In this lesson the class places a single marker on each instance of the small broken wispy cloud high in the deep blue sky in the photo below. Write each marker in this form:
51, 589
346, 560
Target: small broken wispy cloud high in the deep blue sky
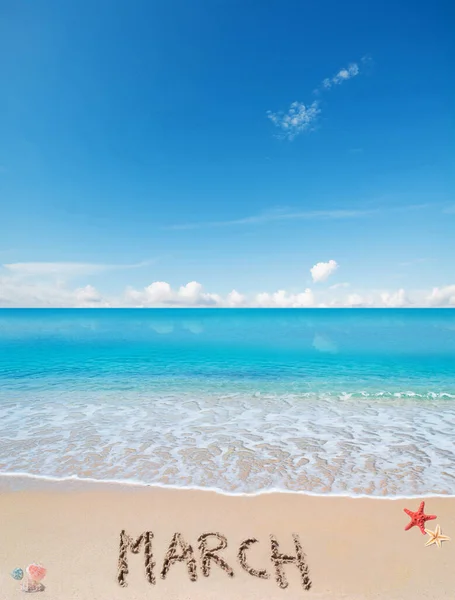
301, 117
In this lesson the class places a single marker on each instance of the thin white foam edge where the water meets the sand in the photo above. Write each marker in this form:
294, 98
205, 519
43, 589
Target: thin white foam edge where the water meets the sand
73, 481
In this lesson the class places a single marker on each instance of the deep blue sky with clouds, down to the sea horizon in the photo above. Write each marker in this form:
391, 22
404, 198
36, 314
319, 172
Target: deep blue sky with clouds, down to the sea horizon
143, 142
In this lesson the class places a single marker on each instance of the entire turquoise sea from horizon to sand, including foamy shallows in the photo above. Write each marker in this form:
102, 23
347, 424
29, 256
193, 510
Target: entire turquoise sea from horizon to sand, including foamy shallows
346, 402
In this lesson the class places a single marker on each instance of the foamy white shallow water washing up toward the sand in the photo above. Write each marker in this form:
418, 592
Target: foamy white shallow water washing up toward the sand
386, 444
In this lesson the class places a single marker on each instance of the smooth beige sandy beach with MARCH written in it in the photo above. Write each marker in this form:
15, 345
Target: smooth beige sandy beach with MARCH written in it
353, 548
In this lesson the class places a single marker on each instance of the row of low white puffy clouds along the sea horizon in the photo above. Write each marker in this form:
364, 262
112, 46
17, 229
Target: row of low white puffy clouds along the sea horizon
32, 292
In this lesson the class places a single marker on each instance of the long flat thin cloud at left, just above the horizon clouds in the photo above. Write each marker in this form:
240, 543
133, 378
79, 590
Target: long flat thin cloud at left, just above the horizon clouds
66, 269
